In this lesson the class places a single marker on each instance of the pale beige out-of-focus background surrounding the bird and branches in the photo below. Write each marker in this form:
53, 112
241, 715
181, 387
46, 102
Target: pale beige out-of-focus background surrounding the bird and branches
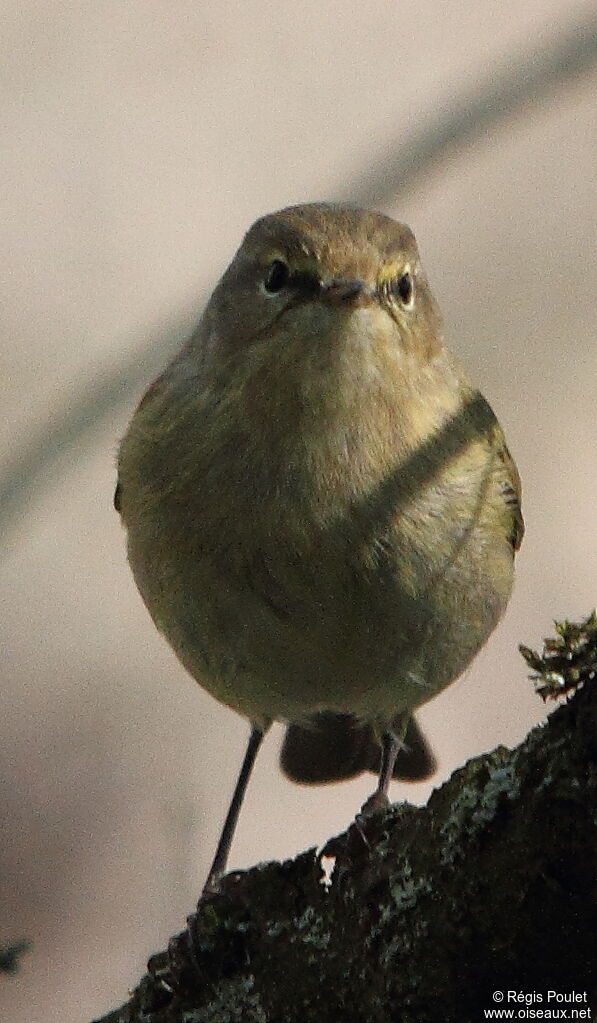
140, 142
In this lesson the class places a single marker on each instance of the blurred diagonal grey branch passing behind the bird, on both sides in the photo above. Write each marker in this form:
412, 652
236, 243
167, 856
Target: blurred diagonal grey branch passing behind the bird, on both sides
507, 93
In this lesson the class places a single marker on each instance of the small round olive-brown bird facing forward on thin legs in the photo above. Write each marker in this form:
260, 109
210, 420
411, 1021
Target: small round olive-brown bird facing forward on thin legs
322, 510
